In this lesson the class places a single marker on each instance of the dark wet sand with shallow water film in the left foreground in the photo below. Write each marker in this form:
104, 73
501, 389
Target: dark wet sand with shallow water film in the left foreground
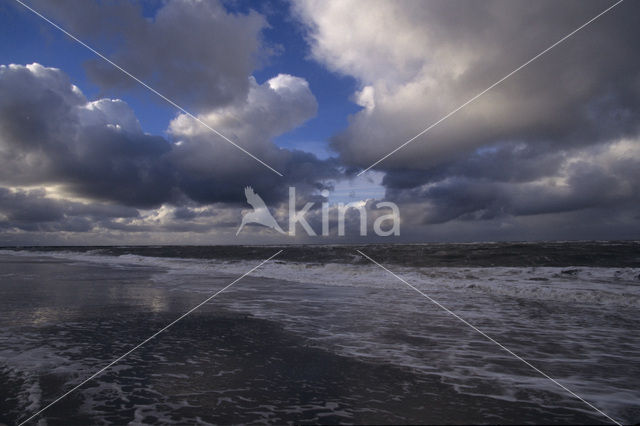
229, 362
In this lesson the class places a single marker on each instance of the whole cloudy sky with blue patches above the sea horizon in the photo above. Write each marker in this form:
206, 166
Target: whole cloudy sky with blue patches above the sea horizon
318, 91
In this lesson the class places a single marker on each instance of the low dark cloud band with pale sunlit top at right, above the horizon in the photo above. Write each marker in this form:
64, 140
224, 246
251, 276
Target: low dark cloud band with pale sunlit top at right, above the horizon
608, 177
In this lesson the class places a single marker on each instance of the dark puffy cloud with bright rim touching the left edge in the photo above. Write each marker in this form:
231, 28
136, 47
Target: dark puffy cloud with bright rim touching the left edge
49, 133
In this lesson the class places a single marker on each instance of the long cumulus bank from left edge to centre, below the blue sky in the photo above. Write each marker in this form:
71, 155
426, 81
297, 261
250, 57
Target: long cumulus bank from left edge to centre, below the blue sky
50, 134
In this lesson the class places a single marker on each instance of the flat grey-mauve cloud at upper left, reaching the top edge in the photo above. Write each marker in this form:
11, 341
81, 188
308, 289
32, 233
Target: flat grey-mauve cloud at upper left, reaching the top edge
194, 52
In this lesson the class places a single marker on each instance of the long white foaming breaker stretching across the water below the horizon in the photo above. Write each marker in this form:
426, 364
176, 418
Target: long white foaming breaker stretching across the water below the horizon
582, 285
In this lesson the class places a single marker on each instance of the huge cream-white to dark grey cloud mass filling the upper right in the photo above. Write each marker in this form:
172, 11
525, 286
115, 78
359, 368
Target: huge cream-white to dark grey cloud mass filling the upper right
560, 137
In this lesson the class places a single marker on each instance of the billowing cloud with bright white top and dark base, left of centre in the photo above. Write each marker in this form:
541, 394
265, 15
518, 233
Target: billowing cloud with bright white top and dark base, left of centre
272, 108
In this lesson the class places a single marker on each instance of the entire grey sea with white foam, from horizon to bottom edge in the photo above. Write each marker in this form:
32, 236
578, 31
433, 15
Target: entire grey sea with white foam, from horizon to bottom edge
477, 333
